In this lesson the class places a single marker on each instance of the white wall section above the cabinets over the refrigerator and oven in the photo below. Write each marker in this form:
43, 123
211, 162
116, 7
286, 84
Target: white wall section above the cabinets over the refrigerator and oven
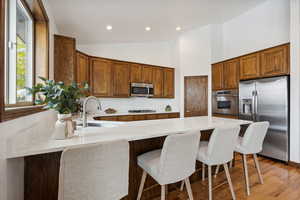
264, 26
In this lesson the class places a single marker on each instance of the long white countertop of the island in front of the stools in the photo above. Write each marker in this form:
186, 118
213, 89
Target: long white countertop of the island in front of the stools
137, 130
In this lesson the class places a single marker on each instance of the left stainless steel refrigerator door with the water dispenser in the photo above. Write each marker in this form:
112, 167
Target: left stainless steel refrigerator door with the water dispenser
246, 100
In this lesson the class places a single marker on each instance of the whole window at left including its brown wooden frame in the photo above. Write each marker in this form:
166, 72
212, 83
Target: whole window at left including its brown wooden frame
24, 51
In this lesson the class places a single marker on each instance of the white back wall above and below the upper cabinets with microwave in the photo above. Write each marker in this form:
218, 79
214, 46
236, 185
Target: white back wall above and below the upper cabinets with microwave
155, 53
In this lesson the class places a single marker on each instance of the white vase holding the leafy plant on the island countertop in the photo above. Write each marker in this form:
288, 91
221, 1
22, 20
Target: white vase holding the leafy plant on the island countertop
61, 130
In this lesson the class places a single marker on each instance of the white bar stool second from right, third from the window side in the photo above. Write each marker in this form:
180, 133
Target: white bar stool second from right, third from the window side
219, 150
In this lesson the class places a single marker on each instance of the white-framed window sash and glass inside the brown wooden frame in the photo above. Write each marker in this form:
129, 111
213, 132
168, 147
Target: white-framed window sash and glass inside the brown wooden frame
19, 66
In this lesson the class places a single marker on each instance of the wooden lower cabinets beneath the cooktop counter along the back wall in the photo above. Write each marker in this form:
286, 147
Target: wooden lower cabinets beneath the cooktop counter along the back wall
126, 118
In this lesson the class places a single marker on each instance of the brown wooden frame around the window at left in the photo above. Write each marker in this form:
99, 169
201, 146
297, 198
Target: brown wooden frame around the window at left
39, 14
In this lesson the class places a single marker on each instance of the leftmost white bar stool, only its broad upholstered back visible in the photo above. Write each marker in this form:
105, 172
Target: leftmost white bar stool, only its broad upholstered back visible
93, 172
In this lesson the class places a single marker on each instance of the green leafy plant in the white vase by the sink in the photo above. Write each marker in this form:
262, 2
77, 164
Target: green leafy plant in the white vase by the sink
58, 96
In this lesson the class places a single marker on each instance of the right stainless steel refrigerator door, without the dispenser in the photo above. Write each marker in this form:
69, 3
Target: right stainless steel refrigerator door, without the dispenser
272, 105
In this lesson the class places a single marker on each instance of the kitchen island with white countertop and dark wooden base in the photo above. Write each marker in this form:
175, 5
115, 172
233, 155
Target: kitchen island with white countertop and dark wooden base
42, 160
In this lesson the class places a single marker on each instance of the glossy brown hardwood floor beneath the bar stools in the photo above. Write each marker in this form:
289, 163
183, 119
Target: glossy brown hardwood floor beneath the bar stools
281, 182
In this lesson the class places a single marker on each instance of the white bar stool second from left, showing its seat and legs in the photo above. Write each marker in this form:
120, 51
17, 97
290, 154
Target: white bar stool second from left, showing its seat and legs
174, 162
